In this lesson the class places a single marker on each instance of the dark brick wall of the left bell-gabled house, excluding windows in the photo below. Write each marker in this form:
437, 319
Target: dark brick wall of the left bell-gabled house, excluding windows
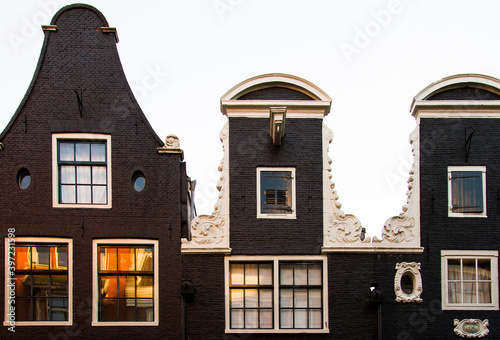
78, 56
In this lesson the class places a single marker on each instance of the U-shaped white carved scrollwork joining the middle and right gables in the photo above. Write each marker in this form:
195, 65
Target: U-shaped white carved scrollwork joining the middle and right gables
341, 232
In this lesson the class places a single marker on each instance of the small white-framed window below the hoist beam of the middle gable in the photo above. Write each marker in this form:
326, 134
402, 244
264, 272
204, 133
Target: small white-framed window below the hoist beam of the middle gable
276, 193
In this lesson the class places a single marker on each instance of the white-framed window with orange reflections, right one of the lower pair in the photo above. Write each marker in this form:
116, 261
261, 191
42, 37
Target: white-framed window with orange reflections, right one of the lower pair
125, 288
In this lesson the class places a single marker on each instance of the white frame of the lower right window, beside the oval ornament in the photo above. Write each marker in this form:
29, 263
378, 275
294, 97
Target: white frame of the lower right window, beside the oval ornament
492, 255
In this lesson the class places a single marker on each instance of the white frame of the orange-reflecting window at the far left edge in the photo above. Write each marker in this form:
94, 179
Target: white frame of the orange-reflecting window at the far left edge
39, 240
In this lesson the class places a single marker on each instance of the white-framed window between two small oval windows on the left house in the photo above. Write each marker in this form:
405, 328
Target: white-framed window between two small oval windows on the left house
81, 170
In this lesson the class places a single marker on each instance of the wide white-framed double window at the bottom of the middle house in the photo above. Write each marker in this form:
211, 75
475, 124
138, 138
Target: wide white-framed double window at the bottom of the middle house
281, 294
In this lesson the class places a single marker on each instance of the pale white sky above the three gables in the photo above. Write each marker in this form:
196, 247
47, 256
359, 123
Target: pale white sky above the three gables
371, 57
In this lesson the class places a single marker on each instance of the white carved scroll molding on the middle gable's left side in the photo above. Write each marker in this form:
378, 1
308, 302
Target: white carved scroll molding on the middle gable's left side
210, 233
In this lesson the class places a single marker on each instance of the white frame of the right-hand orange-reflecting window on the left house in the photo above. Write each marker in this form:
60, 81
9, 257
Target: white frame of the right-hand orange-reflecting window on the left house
95, 282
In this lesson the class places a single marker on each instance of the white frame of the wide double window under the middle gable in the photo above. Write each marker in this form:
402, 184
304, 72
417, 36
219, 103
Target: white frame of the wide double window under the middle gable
276, 292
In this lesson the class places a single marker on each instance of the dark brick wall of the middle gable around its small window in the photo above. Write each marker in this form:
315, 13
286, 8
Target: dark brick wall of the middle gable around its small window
250, 146
